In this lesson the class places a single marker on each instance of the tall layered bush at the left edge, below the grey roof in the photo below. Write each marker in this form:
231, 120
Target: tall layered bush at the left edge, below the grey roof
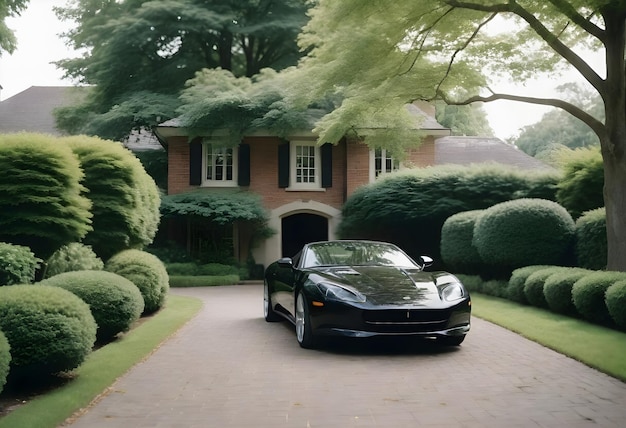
42, 202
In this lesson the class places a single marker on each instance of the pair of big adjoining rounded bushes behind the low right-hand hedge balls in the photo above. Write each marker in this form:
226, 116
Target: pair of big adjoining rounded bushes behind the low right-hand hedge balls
495, 241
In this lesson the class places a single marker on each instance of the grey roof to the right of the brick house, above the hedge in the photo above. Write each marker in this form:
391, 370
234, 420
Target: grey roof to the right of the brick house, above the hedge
472, 150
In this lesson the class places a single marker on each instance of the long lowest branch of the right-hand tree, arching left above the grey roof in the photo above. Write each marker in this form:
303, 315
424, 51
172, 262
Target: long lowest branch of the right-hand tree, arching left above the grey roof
596, 125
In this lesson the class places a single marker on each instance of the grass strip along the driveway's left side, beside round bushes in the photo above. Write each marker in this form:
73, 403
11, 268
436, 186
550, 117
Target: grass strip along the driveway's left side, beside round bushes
103, 367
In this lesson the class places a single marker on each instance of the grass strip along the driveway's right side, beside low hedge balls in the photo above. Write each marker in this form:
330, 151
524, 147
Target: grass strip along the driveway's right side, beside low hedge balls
599, 347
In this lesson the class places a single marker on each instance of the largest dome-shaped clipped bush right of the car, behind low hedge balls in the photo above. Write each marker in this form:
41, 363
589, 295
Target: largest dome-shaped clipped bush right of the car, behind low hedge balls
524, 232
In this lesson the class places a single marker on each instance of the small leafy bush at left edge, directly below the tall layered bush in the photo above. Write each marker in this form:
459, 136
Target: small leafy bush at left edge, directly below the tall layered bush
18, 264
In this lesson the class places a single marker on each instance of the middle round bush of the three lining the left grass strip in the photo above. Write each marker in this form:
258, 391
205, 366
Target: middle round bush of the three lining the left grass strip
114, 301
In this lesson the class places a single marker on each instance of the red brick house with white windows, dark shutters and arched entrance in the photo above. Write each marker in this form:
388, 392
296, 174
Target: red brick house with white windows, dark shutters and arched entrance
302, 185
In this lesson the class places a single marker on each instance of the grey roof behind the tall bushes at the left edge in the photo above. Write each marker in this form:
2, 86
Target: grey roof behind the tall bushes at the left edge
31, 109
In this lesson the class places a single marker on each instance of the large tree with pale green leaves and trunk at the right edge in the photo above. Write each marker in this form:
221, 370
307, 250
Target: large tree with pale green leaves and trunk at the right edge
384, 54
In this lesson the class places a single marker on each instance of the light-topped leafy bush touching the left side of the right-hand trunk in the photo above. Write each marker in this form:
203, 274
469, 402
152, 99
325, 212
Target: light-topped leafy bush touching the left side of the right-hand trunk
581, 187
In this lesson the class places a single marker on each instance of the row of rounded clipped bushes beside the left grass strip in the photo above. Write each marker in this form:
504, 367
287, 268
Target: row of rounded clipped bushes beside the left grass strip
51, 326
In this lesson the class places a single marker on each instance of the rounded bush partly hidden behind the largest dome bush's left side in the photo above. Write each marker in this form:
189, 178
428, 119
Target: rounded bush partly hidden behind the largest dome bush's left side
457, 251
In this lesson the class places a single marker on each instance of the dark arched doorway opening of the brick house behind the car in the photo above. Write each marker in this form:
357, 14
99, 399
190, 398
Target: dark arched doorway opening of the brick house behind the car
299, 229
